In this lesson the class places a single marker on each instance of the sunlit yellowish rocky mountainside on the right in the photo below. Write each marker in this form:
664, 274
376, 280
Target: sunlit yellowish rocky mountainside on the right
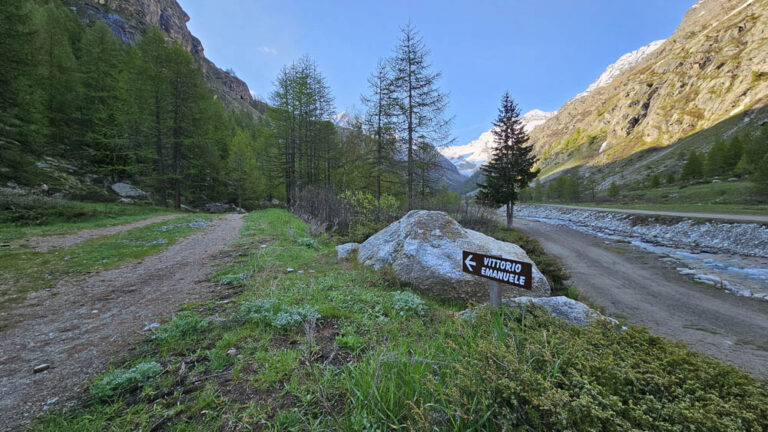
714, 66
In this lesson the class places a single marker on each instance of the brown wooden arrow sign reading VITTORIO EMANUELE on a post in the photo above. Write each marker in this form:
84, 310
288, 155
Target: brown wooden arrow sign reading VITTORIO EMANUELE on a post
498, 270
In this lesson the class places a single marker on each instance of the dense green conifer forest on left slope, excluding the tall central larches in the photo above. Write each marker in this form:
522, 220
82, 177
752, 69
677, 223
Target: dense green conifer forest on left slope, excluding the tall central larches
141, 113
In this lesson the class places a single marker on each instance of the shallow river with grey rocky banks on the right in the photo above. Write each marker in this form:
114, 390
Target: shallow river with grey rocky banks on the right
731, 256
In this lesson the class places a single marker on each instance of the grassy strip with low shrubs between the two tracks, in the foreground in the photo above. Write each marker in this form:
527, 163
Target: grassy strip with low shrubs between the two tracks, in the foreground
336, 346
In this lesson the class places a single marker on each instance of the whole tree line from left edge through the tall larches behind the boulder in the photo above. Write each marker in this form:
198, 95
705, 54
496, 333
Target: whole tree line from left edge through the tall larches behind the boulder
143, 113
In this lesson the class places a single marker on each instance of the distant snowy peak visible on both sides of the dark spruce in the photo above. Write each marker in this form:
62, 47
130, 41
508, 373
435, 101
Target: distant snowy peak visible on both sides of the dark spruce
468, 158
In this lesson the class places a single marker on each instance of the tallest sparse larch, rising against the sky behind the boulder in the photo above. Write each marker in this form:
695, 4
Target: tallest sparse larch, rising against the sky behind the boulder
420, 102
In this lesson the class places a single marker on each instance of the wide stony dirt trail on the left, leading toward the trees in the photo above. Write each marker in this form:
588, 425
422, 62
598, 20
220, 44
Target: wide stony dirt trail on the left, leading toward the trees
79, 326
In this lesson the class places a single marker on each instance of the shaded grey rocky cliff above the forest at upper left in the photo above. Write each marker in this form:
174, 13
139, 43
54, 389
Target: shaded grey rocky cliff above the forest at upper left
129, 18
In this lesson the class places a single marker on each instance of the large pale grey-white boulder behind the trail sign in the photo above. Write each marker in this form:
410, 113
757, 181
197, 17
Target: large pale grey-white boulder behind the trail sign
424, 248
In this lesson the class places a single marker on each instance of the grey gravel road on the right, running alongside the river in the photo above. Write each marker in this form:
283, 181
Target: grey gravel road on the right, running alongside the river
637, 285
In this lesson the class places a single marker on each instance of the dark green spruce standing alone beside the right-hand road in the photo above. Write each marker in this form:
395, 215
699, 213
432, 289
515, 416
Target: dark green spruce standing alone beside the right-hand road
511, 167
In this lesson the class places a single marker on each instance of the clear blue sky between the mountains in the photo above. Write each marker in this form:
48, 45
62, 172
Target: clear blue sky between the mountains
542, 51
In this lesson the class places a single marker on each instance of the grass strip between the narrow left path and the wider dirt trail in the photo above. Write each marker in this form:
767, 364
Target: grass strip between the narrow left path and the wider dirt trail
23, 271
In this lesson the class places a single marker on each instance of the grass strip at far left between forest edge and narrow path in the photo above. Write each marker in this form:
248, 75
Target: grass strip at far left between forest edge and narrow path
32, 216
